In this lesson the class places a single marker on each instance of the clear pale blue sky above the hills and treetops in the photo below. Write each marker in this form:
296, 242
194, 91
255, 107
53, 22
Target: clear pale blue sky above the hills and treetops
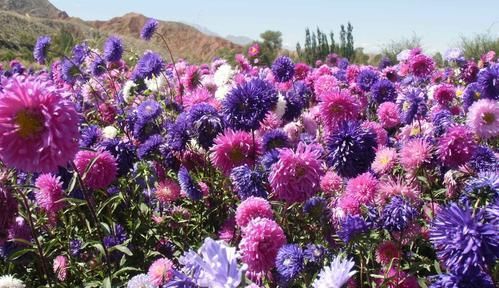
440, 23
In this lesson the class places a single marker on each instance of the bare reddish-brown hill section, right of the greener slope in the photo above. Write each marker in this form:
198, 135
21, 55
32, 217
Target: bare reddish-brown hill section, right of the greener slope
184, 40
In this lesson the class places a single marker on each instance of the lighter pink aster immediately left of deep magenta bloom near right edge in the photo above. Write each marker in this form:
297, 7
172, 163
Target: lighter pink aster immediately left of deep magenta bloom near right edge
414, 154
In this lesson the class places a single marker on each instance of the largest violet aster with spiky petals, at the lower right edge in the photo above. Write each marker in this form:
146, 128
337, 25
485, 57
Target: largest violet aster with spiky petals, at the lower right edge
464, 242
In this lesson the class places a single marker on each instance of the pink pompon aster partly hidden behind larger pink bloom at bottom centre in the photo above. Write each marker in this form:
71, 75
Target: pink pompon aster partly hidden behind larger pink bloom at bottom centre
251, 208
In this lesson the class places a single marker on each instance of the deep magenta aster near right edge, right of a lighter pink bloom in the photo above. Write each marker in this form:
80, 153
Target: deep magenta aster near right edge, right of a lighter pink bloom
456, 146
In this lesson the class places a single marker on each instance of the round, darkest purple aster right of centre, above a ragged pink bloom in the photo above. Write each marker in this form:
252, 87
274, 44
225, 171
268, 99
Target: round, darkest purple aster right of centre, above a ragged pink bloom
351, 149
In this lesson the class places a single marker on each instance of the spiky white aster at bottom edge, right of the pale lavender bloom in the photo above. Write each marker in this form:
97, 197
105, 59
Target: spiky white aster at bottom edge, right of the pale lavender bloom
336, 274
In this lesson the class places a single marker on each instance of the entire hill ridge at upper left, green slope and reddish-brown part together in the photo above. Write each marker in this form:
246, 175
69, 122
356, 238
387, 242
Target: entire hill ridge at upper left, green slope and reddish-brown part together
22, 21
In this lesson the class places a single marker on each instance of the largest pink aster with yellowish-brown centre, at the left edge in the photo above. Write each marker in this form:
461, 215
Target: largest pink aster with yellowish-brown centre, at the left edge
38, 128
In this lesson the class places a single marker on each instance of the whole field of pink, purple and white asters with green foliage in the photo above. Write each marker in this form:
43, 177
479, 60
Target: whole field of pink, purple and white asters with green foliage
147, 171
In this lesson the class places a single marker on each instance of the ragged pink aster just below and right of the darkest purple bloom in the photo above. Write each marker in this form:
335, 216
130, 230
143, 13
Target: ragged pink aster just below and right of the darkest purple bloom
363, 187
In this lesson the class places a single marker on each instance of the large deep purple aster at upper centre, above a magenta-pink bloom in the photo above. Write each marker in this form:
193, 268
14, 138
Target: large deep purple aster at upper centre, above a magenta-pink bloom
247, 104
